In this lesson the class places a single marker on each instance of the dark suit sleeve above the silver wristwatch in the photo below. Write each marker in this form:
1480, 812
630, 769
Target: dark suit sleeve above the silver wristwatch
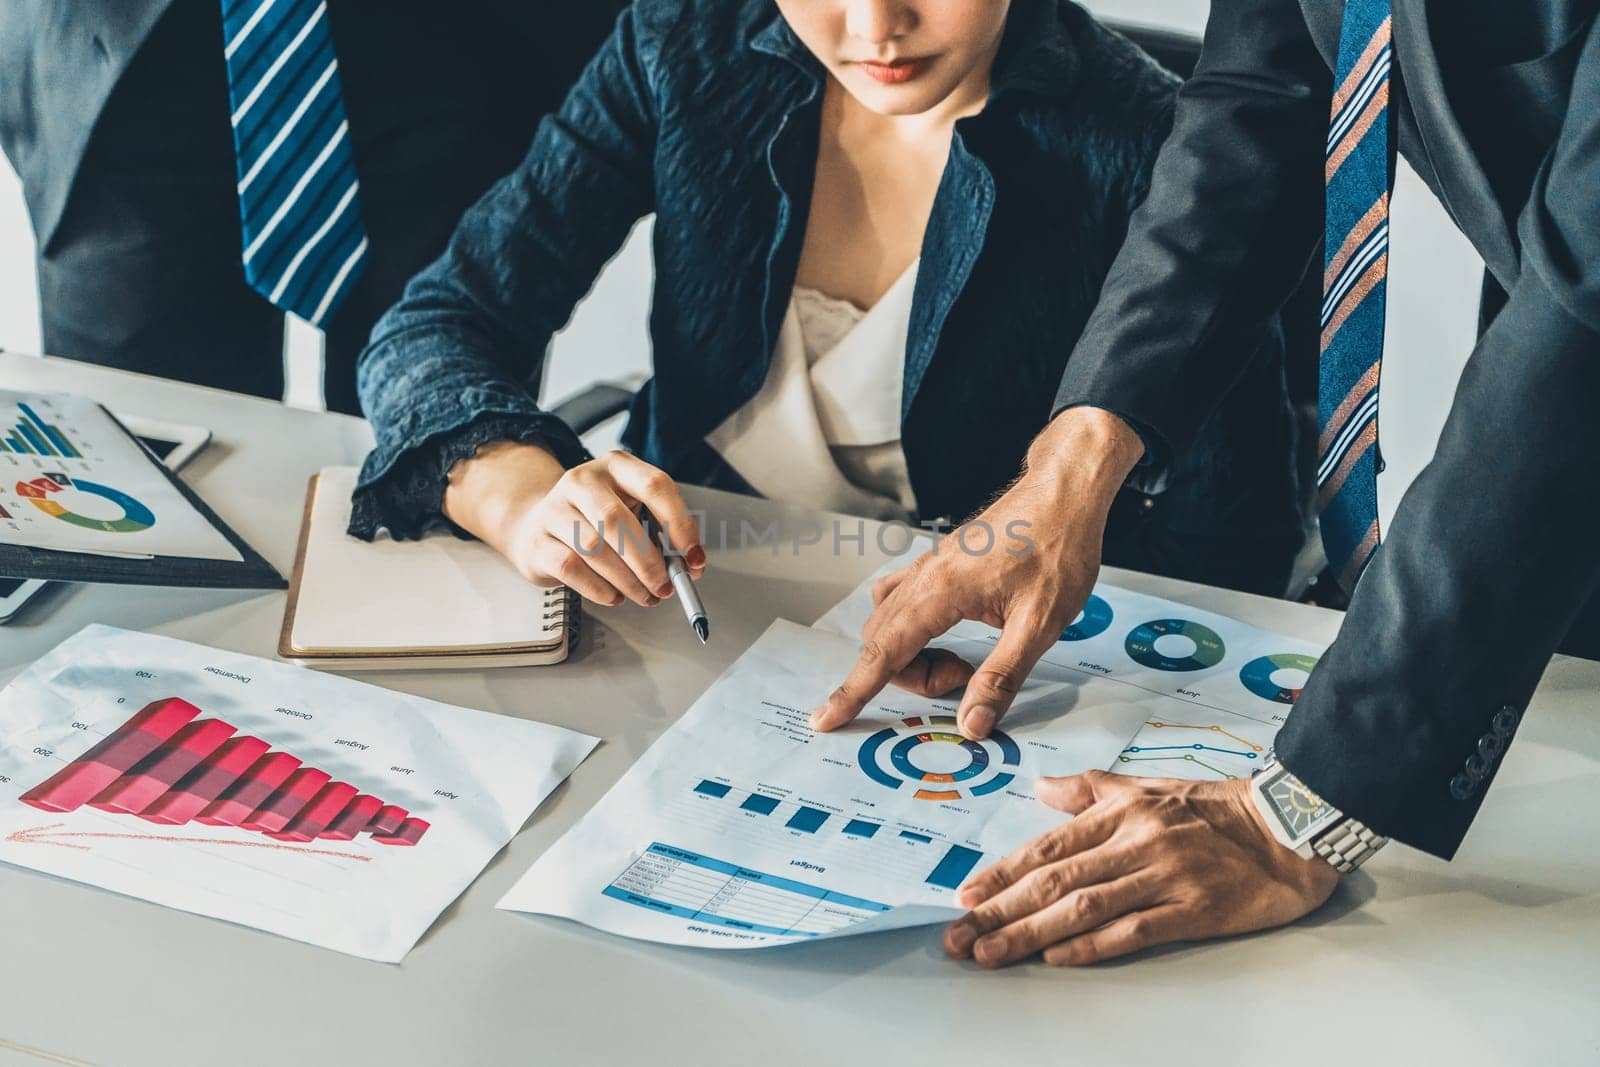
1492, 554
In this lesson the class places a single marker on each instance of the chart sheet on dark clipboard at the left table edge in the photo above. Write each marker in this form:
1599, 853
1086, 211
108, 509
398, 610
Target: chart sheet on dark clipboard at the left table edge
73, 481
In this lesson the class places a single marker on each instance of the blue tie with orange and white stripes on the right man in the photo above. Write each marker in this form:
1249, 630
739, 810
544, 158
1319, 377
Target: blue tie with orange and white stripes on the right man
1354, 281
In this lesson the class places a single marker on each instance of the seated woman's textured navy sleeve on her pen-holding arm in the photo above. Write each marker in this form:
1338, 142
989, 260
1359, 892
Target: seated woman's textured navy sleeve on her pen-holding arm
466, 343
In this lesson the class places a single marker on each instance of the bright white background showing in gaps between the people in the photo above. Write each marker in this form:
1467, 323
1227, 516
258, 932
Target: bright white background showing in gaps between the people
1433, 303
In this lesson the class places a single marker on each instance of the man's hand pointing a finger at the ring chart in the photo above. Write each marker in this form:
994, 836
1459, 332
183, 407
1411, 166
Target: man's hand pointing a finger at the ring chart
1026, 572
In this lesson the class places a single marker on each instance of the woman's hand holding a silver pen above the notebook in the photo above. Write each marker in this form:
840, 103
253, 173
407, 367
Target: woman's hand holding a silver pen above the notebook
578, 529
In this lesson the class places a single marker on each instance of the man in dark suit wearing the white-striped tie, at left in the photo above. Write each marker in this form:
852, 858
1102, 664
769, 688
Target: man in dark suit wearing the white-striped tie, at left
196, 169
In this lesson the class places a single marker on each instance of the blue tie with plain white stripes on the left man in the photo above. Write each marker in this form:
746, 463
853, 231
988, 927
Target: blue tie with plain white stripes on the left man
298, 198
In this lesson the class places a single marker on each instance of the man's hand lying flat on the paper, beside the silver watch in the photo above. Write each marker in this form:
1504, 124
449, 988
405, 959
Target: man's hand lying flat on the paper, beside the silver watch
1145, 863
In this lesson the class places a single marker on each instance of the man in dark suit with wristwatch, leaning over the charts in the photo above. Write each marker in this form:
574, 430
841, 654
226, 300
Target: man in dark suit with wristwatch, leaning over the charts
1286, 140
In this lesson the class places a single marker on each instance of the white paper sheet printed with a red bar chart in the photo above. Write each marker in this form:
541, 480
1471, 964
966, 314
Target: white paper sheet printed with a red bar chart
302, 804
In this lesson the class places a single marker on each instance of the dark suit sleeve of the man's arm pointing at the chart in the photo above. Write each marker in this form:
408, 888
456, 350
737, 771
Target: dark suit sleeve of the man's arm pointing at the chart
1222, 241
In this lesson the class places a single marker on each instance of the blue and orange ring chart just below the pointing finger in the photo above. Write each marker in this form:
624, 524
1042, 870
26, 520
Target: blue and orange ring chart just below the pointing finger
930, 756
